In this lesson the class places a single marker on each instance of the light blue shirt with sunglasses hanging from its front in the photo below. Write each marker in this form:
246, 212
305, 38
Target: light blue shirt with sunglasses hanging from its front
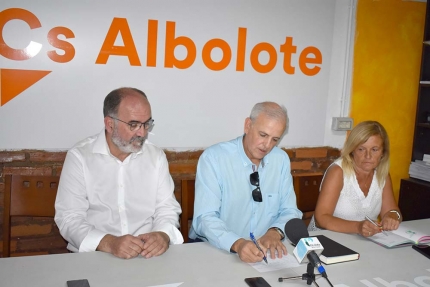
224, 210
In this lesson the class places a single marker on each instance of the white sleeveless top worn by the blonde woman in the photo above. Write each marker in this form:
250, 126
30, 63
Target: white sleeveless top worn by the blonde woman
352, 204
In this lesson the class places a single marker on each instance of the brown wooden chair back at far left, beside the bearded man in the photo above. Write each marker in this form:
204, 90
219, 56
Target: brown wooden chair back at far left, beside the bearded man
27, 196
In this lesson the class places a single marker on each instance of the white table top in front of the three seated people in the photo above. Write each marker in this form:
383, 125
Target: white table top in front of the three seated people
200, 265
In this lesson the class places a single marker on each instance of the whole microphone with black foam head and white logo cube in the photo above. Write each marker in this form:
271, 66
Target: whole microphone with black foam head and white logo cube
298, 234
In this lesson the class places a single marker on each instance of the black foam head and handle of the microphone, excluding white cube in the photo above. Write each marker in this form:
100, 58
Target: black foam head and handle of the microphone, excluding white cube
296, 229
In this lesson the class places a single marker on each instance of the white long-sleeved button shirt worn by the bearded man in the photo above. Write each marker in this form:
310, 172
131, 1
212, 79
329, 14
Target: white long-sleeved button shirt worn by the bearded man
98, 195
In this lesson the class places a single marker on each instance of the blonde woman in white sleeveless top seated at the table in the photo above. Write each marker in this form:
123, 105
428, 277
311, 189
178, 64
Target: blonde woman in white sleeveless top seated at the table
357, 185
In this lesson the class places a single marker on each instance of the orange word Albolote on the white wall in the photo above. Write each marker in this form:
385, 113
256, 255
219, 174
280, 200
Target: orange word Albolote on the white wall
310, 58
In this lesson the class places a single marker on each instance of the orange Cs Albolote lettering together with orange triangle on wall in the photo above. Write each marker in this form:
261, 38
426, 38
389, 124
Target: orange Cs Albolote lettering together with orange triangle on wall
13, 82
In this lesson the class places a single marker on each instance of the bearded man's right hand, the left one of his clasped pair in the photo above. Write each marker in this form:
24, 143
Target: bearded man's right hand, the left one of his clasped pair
126, 246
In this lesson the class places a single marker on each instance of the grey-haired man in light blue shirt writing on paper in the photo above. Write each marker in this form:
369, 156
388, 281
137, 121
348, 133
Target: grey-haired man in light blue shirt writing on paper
244, 189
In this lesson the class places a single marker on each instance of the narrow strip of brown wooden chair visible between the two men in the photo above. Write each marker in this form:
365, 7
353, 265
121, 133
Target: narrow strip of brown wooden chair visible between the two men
187, 206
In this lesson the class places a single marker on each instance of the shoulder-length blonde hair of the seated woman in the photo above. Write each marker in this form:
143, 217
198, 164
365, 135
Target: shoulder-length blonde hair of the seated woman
359, 135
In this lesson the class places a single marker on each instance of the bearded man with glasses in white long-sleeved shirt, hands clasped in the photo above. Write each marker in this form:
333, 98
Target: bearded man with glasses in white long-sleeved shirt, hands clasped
115, 192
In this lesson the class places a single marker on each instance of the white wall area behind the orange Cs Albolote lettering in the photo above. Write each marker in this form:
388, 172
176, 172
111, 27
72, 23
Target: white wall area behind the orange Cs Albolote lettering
194, 107
